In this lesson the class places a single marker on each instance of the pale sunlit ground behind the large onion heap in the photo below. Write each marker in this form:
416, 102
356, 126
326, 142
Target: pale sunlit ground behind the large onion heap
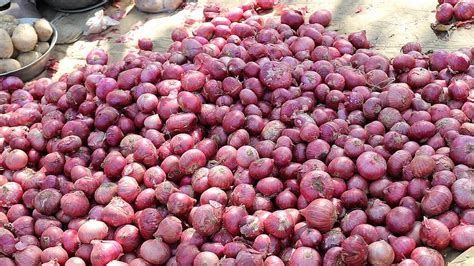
389, 25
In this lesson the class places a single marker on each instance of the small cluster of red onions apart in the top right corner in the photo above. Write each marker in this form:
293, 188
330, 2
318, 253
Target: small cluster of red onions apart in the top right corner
454, 10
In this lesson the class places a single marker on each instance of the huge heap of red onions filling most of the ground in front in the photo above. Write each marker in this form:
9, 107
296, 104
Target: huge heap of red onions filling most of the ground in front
252, 141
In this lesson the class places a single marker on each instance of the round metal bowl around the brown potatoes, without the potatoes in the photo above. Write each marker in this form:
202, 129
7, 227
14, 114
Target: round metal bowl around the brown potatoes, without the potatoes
32, 70
